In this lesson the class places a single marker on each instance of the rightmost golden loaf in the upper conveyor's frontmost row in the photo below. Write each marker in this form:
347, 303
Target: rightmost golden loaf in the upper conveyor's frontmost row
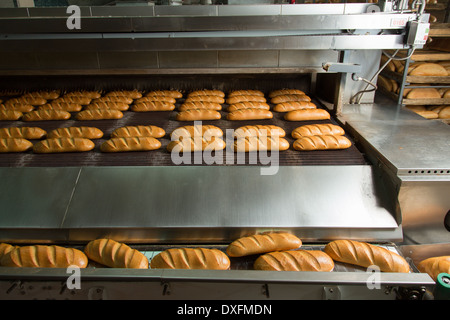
324, 142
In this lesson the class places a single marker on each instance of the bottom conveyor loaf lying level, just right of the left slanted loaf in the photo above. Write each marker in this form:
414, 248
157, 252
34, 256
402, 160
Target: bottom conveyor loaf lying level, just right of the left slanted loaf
191, 258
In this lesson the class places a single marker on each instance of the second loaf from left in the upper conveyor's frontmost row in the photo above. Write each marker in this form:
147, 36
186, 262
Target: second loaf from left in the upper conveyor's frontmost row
58, 145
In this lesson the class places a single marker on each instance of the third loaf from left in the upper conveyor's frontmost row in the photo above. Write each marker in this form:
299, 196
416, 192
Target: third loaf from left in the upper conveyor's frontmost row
128, 144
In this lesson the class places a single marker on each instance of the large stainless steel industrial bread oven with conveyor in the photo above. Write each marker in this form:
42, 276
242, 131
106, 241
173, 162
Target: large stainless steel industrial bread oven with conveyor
390, 188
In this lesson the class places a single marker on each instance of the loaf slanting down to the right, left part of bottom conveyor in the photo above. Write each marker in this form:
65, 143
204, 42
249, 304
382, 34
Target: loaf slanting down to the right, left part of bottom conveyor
115, 254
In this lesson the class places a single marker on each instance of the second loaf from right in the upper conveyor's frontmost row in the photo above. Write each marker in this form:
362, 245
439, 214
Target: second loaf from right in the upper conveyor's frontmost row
261, 143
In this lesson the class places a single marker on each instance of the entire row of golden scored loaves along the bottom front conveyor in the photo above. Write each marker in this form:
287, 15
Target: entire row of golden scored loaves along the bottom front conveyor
276, 251
